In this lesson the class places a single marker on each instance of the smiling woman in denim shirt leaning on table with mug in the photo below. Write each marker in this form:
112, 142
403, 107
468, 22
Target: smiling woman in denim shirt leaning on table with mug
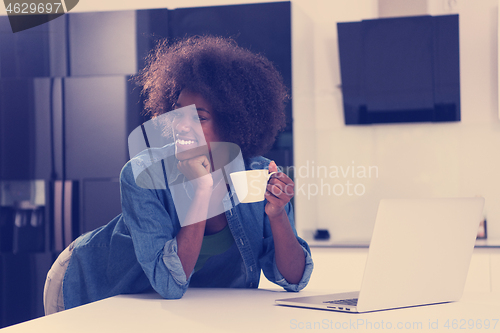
239, 98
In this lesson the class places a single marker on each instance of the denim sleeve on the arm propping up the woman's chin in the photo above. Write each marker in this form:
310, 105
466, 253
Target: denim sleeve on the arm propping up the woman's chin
150, 218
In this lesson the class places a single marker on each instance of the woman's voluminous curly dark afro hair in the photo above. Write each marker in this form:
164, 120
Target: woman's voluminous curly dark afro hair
245, 90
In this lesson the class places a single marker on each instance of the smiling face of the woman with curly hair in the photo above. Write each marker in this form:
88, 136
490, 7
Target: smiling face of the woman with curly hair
193, 129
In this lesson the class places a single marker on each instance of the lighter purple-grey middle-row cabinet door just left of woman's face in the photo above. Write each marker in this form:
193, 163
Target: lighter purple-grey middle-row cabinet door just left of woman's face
95, 126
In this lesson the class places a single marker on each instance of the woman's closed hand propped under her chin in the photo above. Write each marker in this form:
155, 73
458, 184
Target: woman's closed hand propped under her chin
197, 171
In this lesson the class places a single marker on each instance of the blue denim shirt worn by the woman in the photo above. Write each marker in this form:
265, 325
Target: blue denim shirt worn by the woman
137, 250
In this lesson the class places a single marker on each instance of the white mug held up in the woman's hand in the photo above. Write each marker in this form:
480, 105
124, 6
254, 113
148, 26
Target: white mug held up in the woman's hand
250, 185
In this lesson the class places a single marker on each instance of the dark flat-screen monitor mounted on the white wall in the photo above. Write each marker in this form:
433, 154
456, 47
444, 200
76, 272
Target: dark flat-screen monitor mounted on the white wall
402, 69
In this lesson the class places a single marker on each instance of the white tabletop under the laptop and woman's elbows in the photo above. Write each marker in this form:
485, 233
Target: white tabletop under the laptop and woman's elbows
254, 310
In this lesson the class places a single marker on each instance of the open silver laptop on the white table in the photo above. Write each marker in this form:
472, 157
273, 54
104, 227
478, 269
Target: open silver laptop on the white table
419, 254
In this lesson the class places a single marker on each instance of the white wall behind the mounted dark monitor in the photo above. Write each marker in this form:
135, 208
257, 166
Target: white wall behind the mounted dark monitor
412, 160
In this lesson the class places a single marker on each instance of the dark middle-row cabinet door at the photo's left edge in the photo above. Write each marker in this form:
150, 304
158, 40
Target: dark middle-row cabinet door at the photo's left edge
30, 128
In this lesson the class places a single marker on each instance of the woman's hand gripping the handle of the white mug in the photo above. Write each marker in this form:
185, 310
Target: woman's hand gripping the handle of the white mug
280, 189
